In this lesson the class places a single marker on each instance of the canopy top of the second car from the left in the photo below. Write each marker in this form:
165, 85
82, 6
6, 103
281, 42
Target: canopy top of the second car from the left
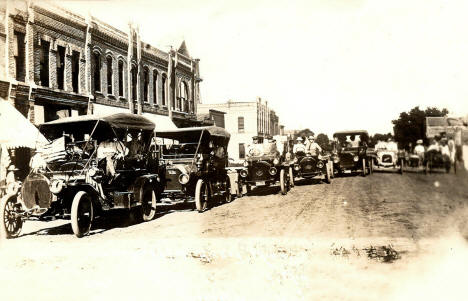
194, 134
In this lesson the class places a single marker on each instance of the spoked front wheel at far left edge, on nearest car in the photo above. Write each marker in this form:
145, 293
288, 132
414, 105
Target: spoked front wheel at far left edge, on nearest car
12, 223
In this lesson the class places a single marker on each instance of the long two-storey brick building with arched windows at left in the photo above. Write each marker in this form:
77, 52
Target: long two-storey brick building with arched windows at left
54, 63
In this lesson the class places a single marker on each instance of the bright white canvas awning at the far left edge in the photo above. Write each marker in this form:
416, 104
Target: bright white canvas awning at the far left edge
16, 130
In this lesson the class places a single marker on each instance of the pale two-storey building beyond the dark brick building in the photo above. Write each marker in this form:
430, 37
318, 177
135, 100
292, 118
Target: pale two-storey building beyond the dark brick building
245, 120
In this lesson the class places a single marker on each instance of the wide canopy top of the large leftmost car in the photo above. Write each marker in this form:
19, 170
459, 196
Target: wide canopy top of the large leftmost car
102, 126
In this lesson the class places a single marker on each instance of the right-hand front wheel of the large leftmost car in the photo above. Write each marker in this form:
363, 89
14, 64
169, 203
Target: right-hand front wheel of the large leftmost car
82, 214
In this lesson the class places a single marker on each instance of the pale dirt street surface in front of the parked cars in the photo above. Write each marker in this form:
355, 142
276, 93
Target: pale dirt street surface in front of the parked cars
383, 237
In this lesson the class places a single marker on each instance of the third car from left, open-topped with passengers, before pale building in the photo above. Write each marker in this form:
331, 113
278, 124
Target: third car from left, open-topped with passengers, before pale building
264, 166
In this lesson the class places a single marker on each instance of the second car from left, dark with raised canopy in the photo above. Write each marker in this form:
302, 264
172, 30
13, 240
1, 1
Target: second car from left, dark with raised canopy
193, 165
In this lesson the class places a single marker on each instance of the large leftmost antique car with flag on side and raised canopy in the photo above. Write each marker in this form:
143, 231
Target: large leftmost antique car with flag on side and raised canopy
90, 165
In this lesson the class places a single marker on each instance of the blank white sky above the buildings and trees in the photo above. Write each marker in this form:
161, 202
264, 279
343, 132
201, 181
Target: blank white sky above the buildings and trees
324, 65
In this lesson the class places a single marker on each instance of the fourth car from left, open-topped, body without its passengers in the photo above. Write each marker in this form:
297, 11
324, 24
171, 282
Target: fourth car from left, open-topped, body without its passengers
307, 166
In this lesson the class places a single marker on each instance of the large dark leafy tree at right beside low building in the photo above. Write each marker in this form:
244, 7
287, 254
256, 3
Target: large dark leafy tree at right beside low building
411, 126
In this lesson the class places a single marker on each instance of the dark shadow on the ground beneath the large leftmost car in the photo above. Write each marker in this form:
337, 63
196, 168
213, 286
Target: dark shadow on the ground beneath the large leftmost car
118, 218
